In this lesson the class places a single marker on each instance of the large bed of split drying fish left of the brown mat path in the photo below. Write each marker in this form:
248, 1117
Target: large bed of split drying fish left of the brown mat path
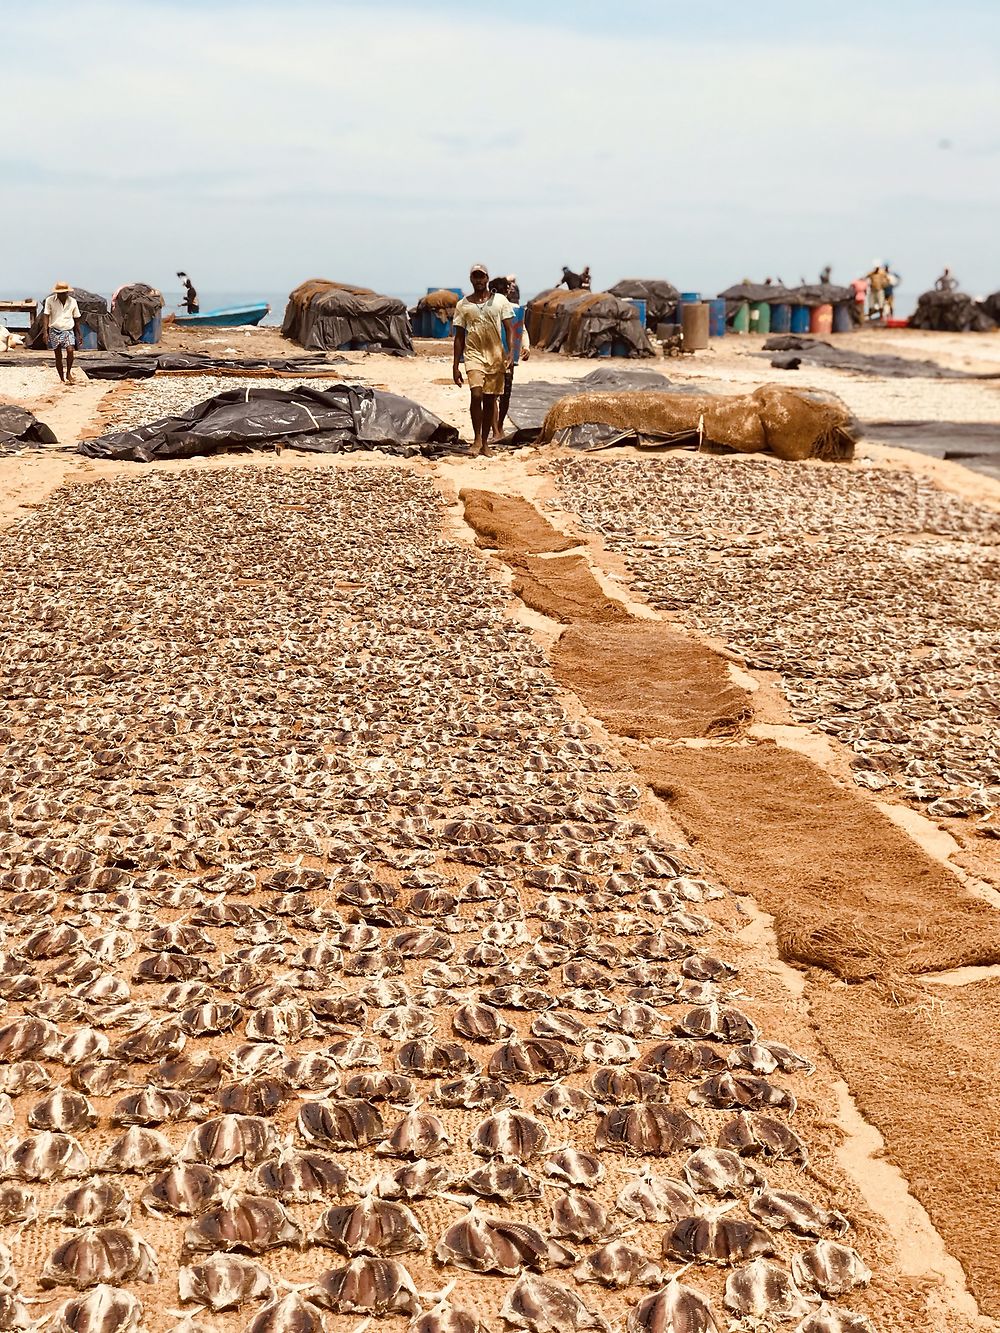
281, 779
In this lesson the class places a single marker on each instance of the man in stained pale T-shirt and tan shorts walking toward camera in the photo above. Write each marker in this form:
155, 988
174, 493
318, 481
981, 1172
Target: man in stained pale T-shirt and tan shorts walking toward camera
481, 321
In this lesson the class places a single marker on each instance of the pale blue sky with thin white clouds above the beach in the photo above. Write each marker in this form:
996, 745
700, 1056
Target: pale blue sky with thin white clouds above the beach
258, 143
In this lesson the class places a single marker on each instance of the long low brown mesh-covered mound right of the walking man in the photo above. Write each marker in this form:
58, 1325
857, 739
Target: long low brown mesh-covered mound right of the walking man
783, 422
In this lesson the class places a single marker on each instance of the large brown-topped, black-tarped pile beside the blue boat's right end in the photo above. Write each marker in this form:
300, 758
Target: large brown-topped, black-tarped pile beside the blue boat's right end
331, 317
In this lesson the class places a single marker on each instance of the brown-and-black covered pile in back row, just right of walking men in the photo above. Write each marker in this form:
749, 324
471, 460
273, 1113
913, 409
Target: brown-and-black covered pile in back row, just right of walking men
586, 325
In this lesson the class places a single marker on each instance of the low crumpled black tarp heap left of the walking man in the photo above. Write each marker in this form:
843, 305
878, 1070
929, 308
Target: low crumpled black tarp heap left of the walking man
334, 421
